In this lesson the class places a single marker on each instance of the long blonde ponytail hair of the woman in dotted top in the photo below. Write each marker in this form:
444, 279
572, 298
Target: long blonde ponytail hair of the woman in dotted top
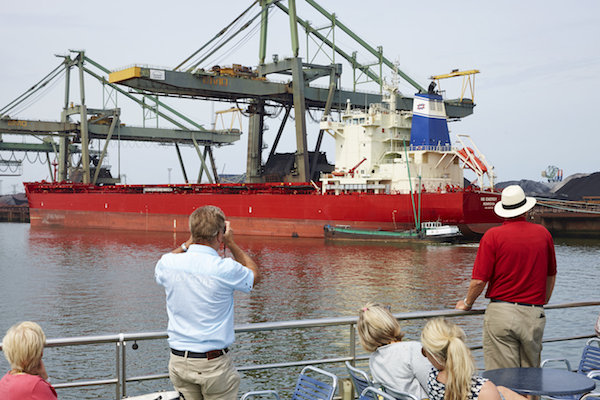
444, 341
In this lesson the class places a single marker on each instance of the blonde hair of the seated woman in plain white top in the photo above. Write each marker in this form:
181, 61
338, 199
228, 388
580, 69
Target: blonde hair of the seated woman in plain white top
377, 327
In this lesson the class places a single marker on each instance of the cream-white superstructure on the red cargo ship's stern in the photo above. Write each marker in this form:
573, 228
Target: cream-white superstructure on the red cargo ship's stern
373, 152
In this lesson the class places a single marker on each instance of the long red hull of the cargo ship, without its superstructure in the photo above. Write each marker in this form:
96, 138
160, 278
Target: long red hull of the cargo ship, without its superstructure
286, 210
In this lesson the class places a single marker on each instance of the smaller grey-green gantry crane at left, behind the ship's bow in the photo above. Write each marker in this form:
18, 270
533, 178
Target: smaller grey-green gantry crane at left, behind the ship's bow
100, 123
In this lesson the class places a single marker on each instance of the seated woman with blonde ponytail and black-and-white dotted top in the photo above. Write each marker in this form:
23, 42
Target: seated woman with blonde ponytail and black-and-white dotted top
453, 376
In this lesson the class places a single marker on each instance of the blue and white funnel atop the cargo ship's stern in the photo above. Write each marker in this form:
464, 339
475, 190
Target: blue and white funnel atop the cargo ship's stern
429, 123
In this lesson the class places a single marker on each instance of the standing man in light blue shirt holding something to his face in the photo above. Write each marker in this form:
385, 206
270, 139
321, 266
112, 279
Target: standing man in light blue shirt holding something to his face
199, 286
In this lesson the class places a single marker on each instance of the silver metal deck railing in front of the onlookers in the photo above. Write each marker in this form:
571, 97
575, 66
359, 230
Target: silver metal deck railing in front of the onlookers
121, 379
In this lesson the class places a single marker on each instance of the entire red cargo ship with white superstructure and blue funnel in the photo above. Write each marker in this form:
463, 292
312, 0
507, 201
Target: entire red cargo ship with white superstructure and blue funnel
393, 170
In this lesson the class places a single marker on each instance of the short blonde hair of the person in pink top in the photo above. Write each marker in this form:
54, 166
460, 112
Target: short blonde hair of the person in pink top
23, 346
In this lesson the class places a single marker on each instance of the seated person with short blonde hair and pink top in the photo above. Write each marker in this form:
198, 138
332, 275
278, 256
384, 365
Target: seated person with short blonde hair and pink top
23, 347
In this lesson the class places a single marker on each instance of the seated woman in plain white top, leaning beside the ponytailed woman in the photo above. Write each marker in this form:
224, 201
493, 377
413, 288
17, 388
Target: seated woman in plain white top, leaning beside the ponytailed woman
395, 364
